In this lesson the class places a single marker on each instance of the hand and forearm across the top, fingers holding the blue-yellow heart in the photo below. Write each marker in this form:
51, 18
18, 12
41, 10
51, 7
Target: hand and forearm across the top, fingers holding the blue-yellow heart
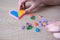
36, 3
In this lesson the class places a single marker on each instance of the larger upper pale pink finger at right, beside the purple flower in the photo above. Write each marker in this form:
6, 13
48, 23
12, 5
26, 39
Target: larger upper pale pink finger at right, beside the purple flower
54, 27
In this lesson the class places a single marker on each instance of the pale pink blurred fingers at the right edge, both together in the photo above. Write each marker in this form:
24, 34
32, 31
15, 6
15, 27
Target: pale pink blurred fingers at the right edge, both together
54, 28
